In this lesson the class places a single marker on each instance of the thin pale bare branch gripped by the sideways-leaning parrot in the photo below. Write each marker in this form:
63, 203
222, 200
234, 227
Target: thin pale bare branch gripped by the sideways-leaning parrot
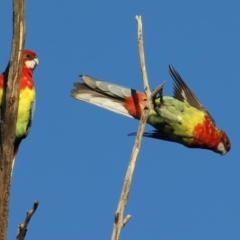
119, 222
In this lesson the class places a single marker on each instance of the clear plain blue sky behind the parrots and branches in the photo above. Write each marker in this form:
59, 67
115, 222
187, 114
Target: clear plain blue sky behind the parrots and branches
75, 158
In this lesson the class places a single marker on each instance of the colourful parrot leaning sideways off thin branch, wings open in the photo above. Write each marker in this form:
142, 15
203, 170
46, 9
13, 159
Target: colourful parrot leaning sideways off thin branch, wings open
181, 118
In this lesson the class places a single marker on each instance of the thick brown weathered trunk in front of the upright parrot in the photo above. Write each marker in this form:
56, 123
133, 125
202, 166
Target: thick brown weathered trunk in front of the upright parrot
9, 114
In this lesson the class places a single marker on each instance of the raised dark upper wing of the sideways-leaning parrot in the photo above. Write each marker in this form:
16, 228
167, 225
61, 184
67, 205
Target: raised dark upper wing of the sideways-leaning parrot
184, 94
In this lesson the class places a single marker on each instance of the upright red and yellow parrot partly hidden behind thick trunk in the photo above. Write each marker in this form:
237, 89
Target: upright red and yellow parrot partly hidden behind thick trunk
26, 98
